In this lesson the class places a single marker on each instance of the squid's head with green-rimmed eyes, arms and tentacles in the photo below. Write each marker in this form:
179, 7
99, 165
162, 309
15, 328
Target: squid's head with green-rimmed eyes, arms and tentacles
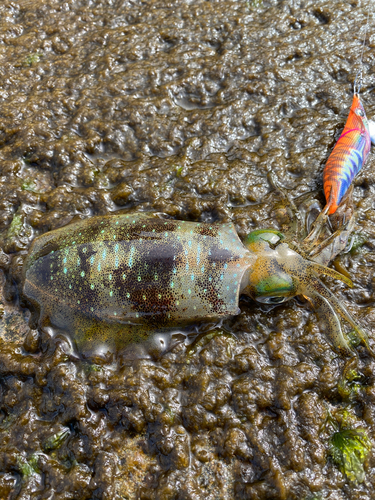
280, 273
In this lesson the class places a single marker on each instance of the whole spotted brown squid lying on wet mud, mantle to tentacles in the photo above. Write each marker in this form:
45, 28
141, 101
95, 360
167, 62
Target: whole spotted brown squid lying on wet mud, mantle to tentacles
139, 273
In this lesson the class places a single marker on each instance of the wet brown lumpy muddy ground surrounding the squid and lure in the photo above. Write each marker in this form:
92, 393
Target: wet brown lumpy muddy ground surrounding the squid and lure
181, 108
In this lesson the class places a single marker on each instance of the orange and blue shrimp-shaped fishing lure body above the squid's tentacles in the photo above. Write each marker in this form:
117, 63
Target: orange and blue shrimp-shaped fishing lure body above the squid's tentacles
348, 156
